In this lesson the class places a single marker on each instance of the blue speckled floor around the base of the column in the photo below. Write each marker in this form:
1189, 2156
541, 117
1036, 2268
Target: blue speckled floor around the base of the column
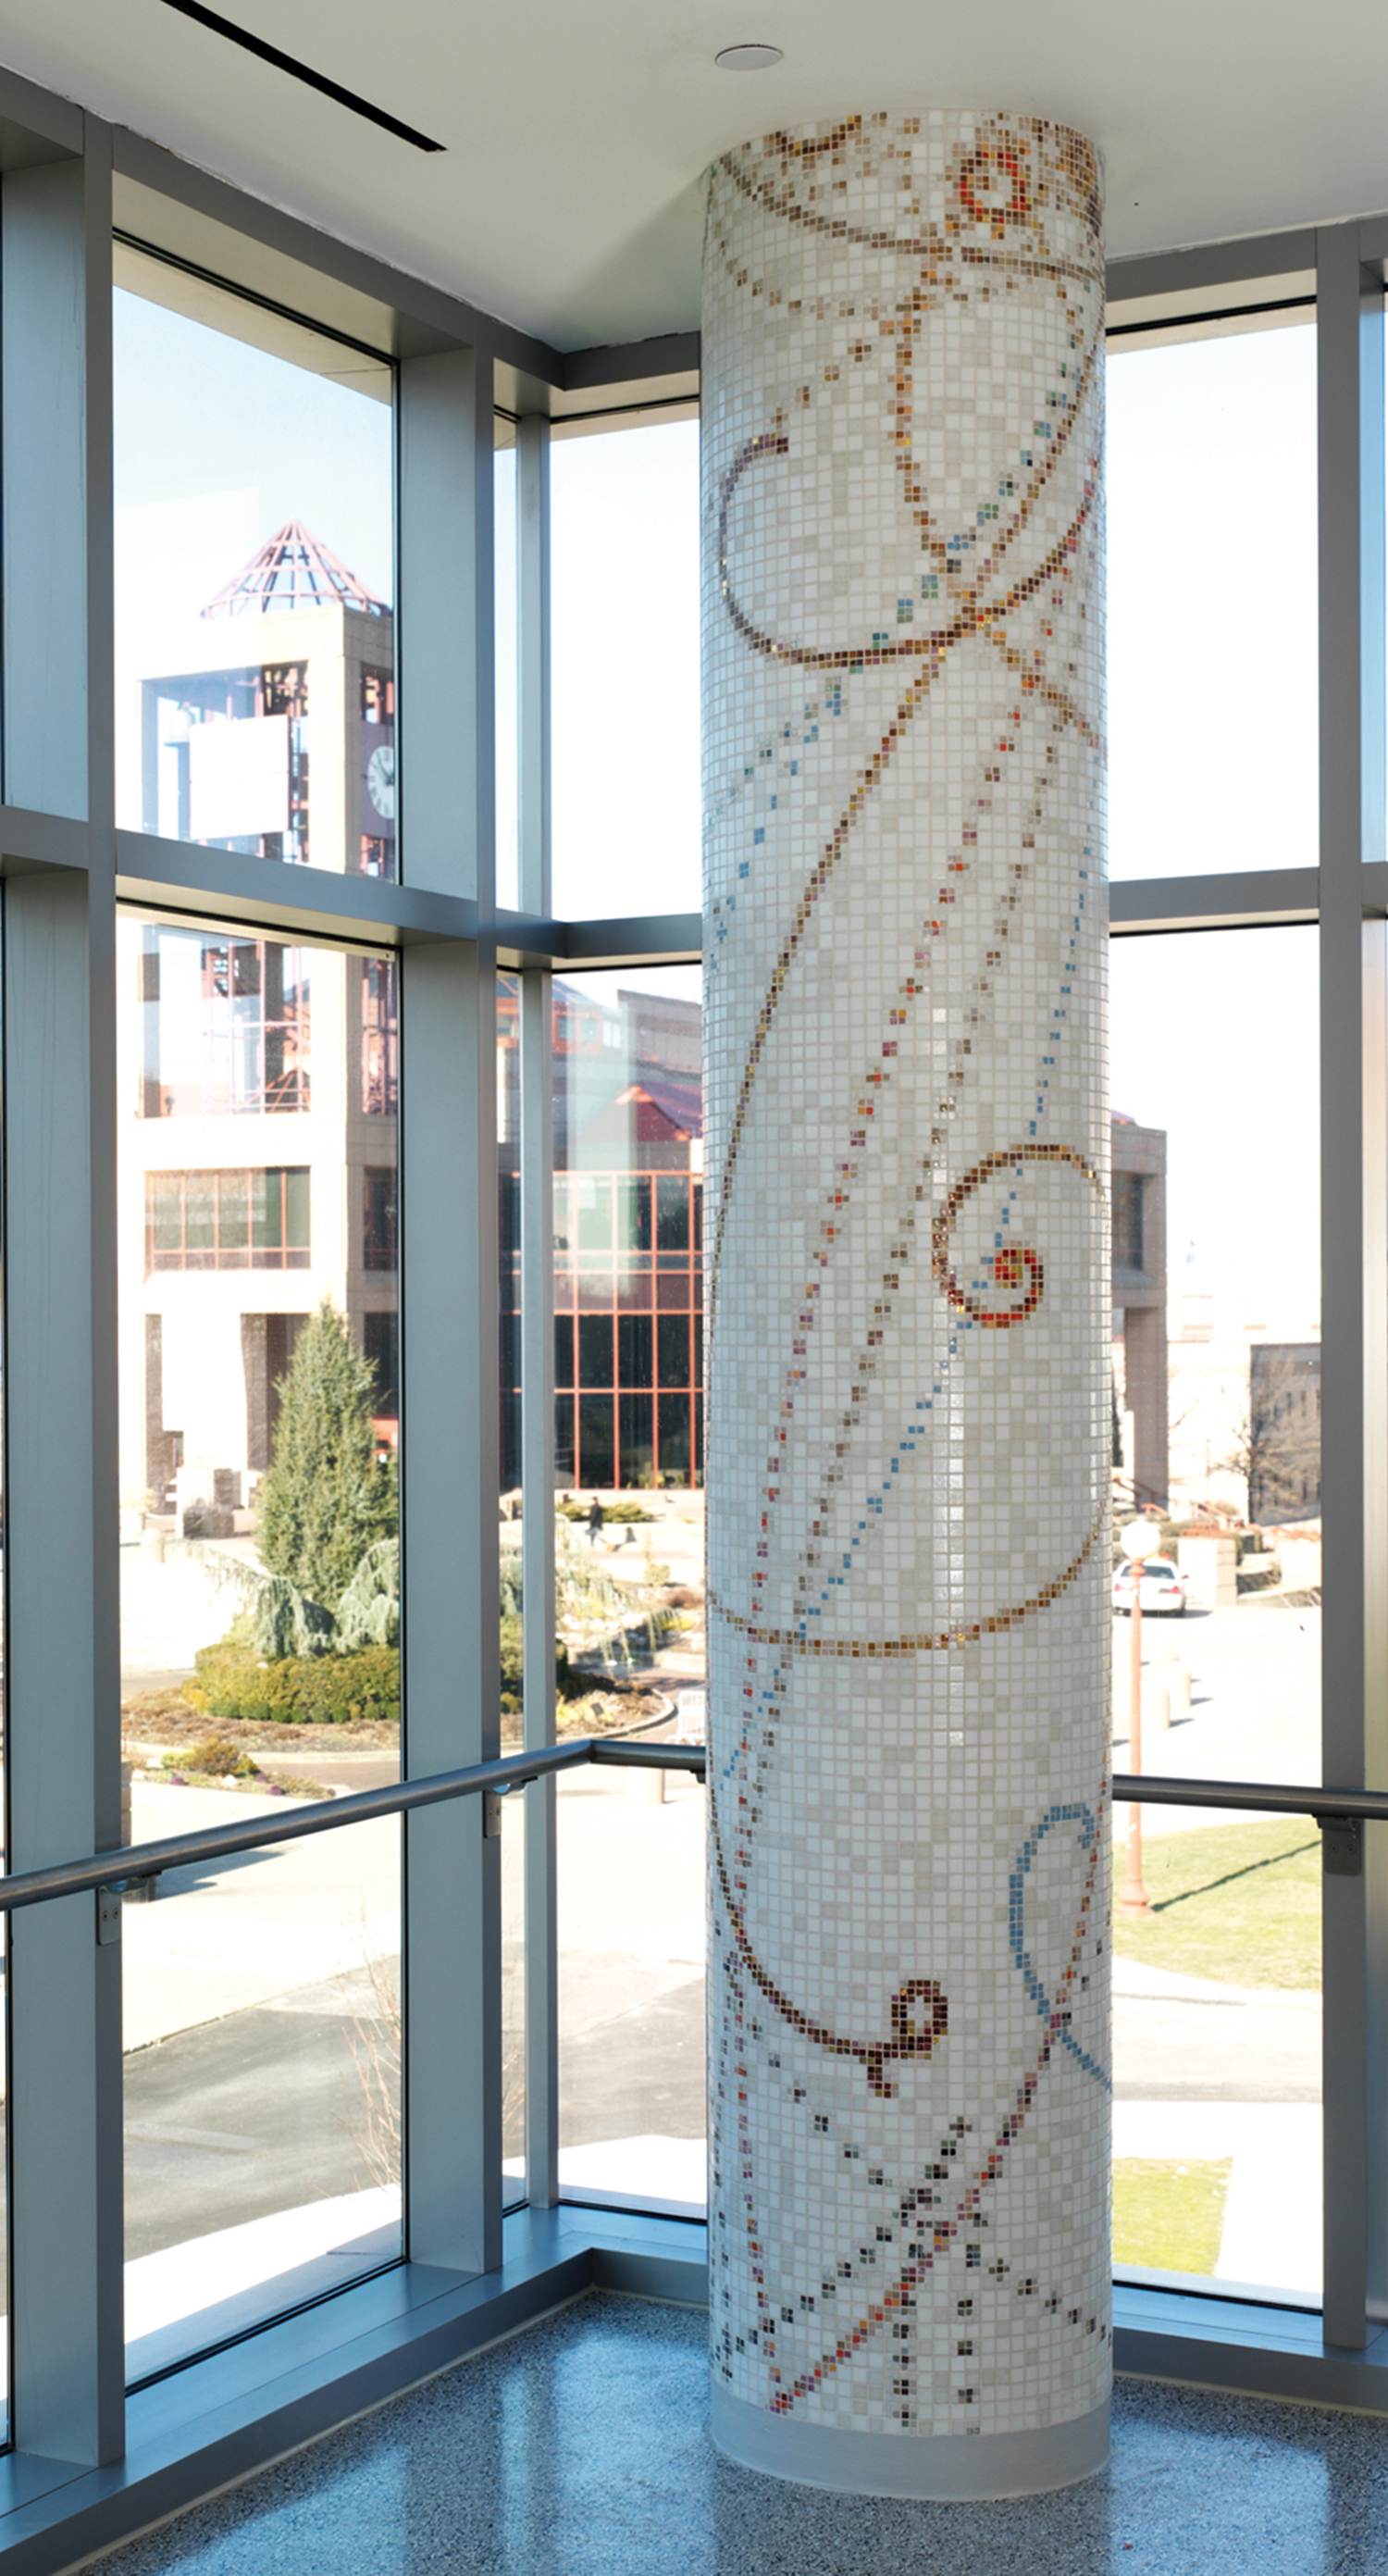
581, 2451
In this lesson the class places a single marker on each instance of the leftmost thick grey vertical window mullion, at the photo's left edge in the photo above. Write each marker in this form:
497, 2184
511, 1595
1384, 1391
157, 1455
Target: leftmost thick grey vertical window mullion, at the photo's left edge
63, 1735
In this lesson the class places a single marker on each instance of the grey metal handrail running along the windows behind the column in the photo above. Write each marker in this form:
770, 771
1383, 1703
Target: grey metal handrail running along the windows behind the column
140, 1861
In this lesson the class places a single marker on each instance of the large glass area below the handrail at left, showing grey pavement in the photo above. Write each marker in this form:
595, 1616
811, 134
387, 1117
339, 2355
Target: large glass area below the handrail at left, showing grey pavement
261, 2029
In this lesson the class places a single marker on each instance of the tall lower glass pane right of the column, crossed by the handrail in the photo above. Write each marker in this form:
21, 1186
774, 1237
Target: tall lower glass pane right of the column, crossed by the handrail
1217, 1346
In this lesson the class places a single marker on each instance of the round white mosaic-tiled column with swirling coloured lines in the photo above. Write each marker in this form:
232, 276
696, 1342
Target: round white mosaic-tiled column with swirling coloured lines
908, 1279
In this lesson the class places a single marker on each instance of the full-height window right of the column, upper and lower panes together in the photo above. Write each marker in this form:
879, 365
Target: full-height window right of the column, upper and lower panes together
1217, 1302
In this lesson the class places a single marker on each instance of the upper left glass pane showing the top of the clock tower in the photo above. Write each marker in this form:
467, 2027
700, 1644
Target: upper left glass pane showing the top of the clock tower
254, 581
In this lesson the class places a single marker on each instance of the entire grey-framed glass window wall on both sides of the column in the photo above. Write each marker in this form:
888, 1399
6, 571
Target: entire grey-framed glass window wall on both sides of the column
354, 1323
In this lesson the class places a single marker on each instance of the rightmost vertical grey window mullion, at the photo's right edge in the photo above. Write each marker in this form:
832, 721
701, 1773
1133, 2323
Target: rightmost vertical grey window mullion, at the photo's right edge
1356, 1274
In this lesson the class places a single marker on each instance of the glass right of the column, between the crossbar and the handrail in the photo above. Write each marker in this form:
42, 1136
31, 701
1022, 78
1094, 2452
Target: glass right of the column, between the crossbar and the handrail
1217, 1346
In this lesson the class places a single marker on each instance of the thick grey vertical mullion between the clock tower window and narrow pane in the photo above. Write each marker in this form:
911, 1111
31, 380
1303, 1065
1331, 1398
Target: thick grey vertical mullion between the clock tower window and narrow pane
449, 1315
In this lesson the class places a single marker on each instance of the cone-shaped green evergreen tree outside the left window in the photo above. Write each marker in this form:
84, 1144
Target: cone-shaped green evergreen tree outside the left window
323, 1501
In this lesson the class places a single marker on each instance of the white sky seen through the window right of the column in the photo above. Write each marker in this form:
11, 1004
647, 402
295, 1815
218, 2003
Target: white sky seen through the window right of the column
1212, 640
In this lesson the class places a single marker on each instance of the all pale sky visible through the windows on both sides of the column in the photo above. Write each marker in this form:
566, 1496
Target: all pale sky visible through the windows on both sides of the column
1212, 622
